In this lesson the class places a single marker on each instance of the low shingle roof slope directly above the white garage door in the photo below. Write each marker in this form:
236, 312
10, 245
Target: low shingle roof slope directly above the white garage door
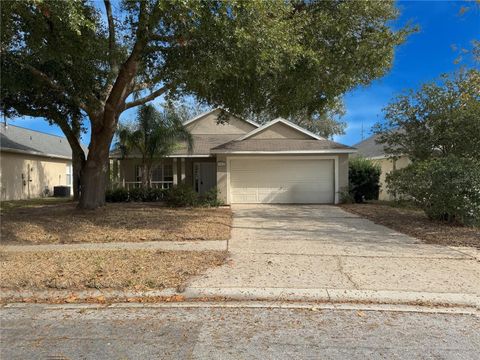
280, 145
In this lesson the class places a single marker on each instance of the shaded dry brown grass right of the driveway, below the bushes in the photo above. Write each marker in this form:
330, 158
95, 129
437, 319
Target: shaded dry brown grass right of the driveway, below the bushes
415, 223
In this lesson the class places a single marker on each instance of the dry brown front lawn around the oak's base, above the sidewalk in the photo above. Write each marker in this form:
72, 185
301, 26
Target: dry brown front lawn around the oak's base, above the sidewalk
131, 222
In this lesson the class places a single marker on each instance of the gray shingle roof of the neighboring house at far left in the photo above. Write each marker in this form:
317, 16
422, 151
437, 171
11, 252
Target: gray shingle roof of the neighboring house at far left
21, 140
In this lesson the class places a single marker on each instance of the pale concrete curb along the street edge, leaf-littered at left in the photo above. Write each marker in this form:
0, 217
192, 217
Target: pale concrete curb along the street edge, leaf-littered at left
250, 294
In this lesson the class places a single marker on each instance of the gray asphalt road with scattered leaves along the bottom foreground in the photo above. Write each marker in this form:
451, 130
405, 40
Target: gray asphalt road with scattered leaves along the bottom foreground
42, 332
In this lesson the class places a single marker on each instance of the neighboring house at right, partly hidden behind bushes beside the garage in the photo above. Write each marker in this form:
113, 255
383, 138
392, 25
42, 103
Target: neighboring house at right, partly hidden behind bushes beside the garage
370, 149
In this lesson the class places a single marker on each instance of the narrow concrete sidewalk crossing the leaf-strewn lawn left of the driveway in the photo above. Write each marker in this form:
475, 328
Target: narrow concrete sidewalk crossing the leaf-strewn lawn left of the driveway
146, 245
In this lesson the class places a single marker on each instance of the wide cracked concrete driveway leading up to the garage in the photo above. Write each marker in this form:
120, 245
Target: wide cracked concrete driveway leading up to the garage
301, 249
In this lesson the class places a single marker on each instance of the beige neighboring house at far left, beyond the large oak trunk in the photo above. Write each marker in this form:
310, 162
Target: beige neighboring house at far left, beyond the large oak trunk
32, 163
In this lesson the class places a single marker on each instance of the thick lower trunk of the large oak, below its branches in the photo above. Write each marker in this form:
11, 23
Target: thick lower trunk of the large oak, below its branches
95, 171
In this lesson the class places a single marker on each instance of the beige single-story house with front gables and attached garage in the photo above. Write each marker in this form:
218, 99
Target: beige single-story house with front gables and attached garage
278, 162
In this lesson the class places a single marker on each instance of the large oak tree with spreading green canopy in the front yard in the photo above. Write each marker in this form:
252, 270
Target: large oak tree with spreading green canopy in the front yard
71, 60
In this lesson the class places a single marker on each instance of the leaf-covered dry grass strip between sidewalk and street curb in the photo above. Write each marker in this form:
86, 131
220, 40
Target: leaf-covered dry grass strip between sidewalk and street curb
104, 269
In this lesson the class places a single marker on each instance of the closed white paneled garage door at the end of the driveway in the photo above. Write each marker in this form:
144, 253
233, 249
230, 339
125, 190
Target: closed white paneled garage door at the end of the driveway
281, 181
